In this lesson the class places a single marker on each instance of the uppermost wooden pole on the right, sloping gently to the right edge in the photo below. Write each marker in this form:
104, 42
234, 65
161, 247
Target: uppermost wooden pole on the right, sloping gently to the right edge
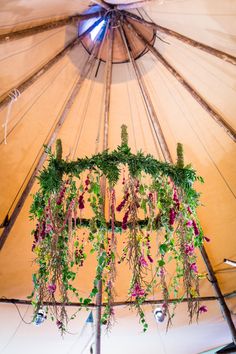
204, 47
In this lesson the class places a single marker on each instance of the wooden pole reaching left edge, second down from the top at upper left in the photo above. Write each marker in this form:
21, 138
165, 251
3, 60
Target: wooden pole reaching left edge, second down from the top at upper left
43, 69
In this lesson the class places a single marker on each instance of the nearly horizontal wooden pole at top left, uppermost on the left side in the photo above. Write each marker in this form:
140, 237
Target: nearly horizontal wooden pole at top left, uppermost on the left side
21, 33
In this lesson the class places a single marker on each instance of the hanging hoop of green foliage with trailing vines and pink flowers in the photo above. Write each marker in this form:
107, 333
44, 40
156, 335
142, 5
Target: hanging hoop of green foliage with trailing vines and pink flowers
158, 199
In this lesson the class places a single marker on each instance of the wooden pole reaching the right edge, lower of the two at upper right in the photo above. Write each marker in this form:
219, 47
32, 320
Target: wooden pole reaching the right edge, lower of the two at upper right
203, 103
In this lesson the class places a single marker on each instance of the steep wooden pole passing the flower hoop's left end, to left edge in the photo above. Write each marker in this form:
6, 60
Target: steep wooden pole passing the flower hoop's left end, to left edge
87, 67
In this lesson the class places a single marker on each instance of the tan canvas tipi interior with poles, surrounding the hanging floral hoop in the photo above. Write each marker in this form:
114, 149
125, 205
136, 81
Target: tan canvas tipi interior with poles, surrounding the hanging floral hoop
77, 71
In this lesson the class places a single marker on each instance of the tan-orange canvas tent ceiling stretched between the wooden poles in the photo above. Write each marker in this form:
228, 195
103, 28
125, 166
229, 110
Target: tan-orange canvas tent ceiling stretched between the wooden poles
207, 146
